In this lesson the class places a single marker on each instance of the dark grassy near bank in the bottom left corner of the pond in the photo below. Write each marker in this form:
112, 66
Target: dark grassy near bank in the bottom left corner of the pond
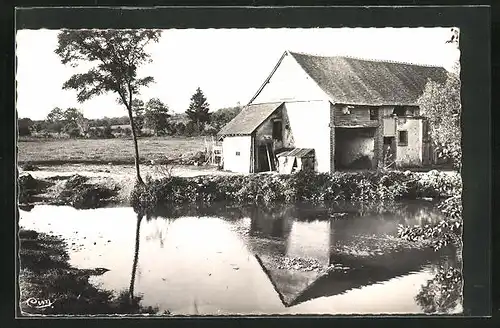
46, 275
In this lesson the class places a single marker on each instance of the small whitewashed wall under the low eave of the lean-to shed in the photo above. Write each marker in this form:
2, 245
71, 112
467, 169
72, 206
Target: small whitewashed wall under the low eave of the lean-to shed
233, 162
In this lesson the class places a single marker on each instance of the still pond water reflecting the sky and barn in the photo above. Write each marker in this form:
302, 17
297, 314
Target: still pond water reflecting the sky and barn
249, 260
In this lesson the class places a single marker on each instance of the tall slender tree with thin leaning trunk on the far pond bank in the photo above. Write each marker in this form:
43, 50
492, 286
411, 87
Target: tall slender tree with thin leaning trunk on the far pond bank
116, 55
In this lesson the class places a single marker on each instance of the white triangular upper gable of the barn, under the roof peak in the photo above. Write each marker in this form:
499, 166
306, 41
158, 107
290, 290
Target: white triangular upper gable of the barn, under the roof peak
290, 83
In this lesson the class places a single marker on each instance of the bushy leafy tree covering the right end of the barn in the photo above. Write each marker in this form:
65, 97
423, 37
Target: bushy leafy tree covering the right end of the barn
440, 103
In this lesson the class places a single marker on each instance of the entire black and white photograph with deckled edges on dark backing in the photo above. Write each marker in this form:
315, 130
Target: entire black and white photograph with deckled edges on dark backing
239, 171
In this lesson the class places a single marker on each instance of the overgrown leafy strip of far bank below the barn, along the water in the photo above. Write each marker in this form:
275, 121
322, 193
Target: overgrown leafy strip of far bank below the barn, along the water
363, 187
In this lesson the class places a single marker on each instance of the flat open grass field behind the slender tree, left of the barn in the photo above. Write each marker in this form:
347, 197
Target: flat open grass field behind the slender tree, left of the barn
104, 151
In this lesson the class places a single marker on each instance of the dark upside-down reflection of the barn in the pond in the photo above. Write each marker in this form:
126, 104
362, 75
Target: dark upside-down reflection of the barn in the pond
349, 253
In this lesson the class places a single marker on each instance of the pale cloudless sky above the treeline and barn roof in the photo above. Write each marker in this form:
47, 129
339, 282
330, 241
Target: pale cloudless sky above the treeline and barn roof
229, 65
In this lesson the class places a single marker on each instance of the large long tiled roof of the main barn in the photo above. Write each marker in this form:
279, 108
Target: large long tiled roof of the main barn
368, 82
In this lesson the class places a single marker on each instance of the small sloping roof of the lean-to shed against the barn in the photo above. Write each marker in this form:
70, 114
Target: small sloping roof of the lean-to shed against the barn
249, 119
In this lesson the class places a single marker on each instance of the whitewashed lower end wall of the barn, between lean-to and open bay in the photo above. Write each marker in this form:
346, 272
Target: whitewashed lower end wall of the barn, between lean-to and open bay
309, 123
